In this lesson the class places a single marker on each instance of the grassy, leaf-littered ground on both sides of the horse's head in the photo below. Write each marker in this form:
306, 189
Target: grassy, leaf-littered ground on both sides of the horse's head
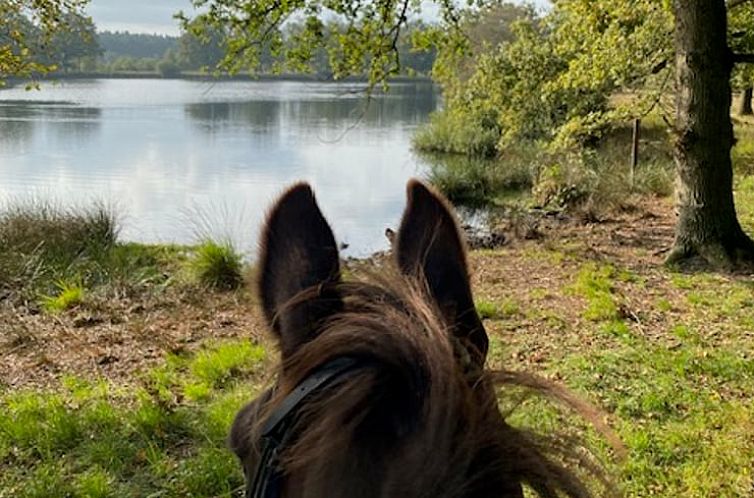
135, 399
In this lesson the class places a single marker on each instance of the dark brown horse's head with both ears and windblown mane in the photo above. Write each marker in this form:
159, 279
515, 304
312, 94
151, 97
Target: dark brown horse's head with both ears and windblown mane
382, 390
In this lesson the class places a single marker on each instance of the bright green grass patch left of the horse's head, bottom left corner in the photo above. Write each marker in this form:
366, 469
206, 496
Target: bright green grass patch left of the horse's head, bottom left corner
95, 438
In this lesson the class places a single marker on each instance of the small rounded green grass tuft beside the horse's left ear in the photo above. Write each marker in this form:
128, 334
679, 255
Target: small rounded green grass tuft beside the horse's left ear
217, 265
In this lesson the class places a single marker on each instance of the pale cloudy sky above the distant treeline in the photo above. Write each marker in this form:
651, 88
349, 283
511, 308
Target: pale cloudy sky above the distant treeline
149, 16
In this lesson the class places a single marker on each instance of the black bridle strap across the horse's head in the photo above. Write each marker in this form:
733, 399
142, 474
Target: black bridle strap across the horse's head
276, 430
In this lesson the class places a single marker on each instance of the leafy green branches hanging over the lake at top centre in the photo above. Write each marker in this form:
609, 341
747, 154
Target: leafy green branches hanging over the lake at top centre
366, 42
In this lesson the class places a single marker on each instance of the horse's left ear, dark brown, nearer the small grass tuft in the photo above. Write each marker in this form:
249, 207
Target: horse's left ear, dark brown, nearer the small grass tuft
298, 253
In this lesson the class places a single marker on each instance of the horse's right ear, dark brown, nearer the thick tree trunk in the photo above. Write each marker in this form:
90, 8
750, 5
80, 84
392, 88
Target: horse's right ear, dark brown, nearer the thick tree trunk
429, 246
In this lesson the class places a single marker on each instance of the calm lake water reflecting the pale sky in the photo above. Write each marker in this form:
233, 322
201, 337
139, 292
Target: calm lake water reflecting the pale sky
181, 157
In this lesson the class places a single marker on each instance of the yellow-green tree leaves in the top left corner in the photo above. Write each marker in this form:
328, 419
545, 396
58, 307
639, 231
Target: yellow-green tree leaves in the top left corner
21, 18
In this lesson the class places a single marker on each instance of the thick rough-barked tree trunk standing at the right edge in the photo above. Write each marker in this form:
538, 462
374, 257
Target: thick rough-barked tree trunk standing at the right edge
707, 224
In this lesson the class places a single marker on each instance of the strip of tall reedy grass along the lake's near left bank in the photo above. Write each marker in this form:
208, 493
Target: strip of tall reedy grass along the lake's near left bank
51, 257
